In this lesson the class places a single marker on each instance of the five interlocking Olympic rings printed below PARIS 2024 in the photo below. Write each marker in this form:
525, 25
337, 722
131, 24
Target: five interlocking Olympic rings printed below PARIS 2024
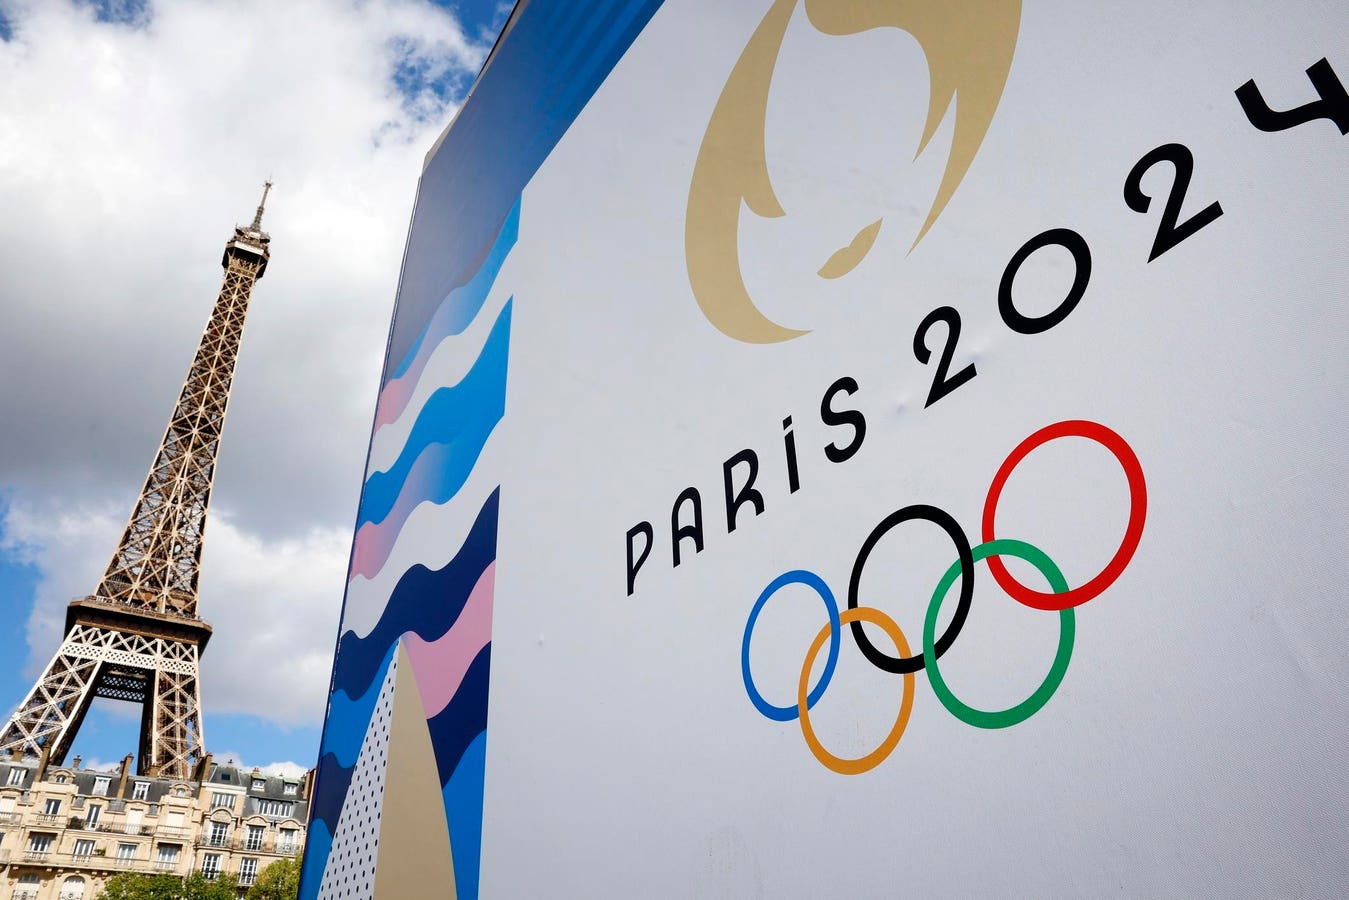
1061, 600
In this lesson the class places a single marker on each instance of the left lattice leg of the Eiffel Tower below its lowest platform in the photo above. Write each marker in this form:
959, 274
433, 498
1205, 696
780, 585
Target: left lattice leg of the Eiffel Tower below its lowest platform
51, 716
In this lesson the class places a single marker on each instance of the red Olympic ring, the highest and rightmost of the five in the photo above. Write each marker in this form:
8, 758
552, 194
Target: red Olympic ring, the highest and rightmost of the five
1132, 534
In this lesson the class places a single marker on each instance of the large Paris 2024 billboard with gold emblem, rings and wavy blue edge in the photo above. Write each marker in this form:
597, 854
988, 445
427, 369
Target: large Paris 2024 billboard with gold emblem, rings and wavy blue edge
863, 449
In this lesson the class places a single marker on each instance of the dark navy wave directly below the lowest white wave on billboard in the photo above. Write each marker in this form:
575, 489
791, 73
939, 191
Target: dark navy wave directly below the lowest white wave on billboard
426, 602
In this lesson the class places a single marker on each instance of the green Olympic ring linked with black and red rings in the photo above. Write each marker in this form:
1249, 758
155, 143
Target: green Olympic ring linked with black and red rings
1068, 629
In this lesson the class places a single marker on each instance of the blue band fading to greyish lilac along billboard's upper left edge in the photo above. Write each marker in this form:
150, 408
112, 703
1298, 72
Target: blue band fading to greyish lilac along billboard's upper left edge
548, 68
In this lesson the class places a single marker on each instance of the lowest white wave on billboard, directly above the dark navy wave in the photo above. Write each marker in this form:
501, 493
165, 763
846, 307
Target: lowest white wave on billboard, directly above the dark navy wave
431, 536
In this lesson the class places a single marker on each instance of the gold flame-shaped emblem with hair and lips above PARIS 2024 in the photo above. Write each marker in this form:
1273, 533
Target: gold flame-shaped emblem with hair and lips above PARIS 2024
969, 53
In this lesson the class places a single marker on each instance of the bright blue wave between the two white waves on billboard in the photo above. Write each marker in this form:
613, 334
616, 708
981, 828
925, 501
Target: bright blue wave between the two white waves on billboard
461, 418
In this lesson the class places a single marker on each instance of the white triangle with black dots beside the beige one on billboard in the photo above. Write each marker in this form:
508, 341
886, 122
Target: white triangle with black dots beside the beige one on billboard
350, 872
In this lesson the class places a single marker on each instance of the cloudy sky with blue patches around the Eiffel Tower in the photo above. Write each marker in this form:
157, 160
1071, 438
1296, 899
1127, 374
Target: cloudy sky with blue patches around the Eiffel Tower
134, 136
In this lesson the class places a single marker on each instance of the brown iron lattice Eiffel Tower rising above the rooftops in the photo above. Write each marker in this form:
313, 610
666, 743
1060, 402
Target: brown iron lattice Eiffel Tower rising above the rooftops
138, 638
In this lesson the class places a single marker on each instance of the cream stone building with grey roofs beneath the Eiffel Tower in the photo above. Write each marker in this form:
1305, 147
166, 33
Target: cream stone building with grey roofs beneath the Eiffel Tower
65, 831
